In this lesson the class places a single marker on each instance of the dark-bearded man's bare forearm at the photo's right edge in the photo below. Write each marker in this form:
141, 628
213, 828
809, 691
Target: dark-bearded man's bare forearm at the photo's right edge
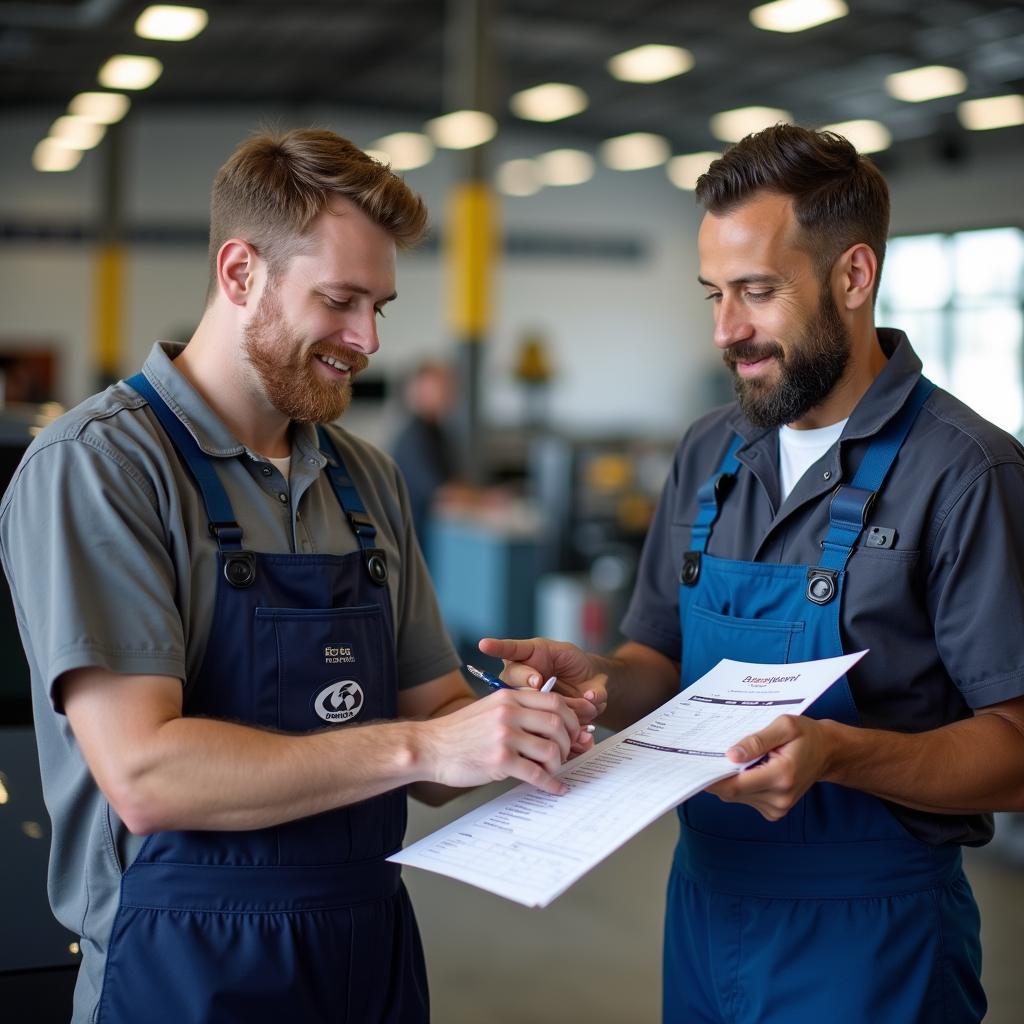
967, 767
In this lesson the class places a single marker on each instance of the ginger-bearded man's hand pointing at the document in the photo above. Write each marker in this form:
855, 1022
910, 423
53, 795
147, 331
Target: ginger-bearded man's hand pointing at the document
513, 734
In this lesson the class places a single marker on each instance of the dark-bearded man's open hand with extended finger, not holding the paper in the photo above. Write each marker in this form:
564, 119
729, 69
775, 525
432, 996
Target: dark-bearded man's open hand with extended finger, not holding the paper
530, 663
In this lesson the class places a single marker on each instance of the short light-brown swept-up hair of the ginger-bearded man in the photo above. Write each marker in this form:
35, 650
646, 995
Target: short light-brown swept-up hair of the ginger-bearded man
275, 185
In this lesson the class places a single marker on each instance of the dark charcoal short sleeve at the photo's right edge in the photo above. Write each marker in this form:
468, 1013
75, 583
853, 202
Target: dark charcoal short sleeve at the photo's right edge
976, 587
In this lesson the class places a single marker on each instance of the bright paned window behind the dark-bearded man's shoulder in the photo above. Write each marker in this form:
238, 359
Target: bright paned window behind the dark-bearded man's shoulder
961, 301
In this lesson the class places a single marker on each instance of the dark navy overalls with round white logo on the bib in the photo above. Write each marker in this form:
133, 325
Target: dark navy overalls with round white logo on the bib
304, 922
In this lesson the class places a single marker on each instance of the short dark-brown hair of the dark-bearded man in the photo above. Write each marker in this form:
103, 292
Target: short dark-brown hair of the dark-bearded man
840, 197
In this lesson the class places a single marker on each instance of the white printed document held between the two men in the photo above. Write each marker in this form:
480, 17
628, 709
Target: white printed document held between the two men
530, 846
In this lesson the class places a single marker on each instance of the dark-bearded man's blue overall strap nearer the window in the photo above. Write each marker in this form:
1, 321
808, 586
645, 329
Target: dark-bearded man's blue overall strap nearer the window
852, 504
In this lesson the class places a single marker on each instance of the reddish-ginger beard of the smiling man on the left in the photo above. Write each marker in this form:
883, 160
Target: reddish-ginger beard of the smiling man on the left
292, 385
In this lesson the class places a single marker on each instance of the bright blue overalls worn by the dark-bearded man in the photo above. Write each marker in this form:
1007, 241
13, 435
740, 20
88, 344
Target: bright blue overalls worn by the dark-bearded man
834, 915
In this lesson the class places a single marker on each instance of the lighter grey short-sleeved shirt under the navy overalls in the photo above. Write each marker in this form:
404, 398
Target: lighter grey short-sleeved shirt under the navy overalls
105, 539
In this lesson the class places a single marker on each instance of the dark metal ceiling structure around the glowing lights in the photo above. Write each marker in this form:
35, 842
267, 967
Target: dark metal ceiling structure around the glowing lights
391, 57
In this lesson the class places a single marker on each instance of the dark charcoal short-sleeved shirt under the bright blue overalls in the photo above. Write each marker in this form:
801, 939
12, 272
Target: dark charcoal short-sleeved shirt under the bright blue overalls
942, 611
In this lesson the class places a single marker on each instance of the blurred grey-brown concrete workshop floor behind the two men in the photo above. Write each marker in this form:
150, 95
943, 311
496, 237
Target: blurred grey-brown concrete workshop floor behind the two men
595, 954
